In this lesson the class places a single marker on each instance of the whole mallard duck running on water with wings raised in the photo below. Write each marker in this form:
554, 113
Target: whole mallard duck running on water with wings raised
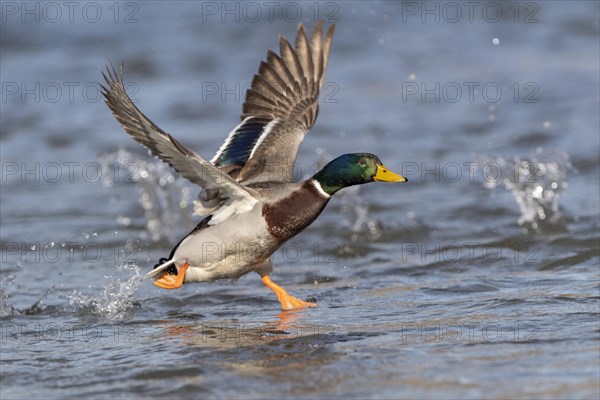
249, 200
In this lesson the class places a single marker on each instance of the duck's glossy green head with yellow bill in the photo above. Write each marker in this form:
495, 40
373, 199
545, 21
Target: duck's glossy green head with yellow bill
354, 169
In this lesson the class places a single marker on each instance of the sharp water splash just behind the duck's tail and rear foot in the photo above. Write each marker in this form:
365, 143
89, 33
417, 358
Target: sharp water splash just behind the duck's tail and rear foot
116, 299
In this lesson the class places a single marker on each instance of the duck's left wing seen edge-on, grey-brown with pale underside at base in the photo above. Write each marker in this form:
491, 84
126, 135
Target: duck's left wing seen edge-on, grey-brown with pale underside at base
236, 198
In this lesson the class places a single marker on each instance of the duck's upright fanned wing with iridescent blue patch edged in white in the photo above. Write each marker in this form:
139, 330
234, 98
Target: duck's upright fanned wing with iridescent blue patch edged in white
280, 108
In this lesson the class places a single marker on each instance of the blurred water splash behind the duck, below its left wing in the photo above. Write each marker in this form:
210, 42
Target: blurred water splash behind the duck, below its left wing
163, 196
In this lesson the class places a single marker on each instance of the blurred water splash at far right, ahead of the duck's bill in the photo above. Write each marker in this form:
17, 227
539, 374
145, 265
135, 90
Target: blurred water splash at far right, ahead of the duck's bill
535, 183
